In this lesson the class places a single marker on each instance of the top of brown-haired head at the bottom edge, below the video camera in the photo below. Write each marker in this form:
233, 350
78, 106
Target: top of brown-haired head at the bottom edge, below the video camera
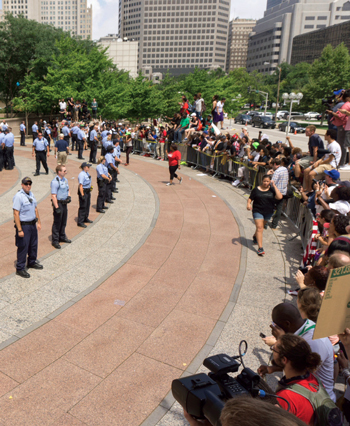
245, 411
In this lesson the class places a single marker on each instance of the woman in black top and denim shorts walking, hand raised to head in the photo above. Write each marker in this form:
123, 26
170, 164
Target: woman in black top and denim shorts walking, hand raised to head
263, 198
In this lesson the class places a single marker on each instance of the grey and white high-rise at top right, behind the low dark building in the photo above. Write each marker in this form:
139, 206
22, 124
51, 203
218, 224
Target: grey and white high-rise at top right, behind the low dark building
271, 42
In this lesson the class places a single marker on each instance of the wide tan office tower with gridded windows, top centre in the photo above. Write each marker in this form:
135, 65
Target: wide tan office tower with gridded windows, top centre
177, 35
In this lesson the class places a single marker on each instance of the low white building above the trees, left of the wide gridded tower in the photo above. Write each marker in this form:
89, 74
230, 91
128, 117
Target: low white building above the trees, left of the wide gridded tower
124, 54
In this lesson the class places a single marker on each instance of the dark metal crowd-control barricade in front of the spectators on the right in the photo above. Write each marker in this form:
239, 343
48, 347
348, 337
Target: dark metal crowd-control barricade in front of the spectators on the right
219, 165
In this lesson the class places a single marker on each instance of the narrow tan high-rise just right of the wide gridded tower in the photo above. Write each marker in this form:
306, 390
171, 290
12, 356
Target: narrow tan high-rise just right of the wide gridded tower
238, 38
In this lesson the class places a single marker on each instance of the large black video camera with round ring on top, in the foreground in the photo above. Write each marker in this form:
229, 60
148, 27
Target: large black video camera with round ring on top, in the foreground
204, 396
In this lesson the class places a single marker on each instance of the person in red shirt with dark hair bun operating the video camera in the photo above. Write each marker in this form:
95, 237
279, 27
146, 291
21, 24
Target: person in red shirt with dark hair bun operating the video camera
294, 355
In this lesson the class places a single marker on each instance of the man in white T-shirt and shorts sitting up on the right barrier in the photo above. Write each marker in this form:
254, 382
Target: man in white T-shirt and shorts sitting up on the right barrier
327, 162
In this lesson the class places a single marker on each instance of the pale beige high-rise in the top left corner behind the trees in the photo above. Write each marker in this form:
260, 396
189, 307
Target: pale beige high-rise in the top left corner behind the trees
70, 15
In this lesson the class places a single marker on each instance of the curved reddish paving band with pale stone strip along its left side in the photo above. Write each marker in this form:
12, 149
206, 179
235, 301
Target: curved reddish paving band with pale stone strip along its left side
108, 358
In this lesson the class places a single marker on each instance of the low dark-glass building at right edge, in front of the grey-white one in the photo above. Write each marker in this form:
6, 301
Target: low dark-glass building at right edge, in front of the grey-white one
308, 47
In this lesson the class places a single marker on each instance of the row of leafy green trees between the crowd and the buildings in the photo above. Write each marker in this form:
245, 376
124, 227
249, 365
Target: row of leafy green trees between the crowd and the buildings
49, 64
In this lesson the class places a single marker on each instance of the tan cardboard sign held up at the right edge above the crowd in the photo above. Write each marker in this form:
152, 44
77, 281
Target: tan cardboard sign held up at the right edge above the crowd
334, 314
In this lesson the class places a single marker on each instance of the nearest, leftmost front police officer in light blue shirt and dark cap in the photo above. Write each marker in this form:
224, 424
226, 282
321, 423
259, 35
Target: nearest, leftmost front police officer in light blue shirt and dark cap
27, 224
